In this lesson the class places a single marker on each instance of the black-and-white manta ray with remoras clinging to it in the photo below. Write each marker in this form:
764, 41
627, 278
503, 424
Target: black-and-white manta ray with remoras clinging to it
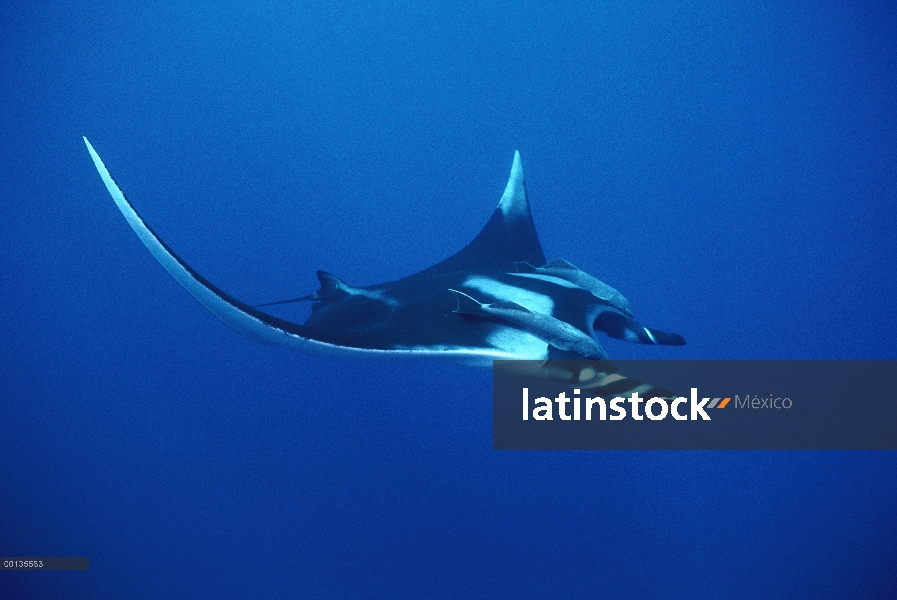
496, 299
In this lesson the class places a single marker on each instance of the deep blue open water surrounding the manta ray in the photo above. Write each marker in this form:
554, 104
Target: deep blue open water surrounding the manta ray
731, 169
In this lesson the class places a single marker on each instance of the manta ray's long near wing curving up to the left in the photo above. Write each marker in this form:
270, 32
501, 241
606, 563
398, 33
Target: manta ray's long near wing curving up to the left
251, 322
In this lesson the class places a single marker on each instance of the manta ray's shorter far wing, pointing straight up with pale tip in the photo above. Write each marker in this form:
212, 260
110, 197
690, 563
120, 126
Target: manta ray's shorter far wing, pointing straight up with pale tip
508, 237
